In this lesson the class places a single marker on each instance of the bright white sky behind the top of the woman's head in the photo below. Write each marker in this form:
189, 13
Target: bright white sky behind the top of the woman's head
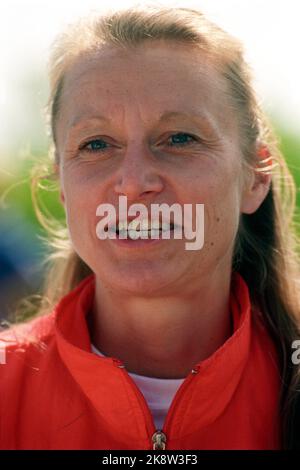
269, 30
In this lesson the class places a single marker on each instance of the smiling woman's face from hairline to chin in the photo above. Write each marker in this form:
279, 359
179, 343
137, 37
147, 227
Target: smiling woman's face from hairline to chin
149, 95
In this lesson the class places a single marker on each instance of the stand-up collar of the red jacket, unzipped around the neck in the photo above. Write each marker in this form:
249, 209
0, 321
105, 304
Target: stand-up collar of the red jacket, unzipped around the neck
102, 380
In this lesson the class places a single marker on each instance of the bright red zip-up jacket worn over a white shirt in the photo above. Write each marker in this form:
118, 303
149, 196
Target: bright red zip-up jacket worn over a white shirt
57, 394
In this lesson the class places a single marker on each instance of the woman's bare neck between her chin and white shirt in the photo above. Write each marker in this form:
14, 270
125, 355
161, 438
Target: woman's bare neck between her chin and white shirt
162, 337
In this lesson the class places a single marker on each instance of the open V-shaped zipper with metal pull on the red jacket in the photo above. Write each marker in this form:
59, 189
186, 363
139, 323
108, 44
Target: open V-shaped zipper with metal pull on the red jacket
158, 437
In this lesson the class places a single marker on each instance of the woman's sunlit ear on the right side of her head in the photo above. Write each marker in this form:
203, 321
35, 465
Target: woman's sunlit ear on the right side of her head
257, 185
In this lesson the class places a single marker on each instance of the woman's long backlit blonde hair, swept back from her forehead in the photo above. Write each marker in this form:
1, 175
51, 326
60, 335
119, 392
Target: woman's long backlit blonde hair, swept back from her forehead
266, 246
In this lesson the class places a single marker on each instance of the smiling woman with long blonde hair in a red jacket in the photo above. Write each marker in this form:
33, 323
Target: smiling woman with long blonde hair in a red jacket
146, 344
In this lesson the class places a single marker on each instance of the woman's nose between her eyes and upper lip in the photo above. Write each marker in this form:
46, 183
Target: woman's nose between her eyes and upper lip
138, 174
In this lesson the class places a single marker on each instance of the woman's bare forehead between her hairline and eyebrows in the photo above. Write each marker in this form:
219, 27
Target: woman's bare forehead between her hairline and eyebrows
151, 78
